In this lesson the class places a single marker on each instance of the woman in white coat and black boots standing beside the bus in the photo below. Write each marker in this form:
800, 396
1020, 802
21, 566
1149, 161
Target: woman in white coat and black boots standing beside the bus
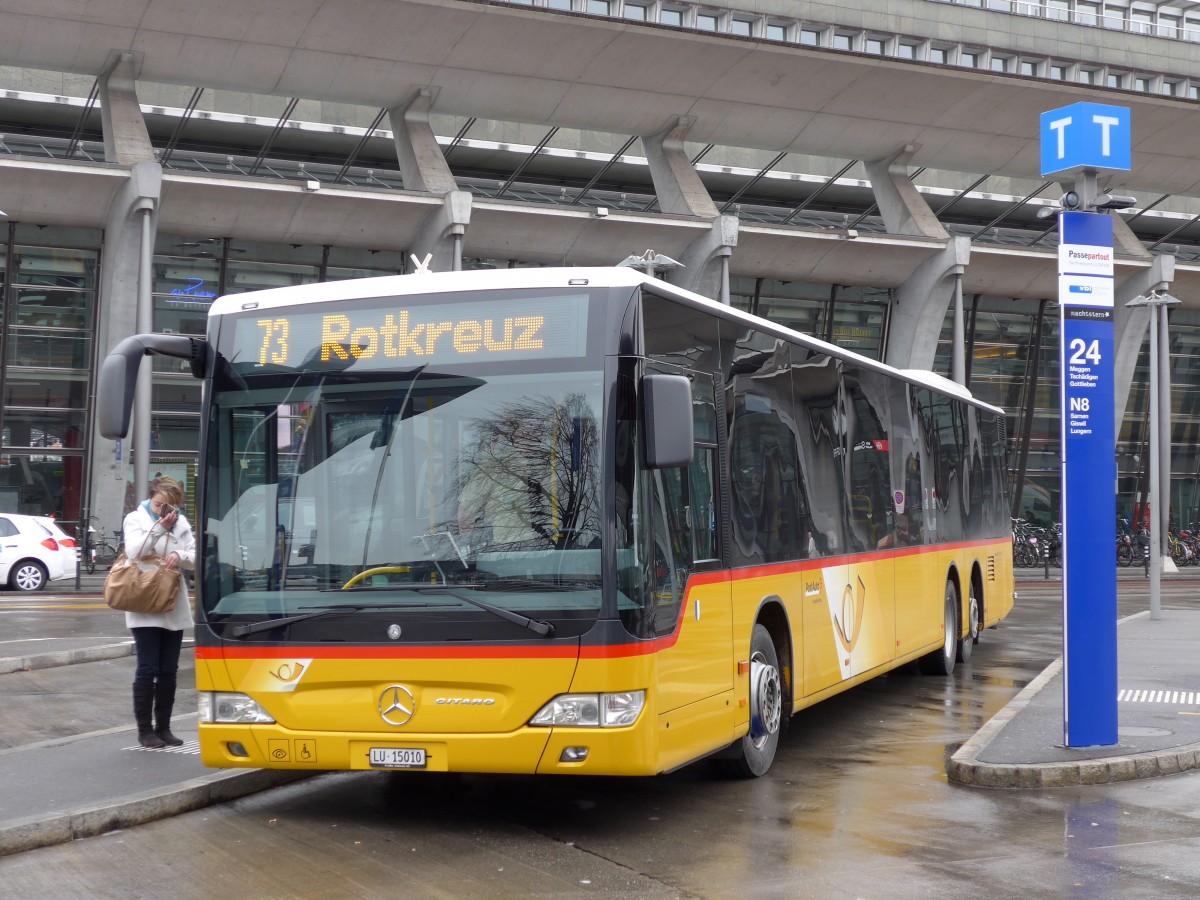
159, 638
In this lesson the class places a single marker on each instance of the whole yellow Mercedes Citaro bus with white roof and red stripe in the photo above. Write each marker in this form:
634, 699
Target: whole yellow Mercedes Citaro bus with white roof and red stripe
563, 521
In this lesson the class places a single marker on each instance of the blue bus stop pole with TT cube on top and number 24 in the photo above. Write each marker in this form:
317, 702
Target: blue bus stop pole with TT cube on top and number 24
1078, 141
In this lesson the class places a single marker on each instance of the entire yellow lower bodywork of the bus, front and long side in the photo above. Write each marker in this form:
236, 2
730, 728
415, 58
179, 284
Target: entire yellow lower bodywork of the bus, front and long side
849, 620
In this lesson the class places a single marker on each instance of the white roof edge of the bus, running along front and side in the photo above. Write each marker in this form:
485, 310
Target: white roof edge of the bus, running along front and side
559, 278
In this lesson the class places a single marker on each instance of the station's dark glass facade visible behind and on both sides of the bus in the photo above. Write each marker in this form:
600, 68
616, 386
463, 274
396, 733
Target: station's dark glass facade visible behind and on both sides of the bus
47, 326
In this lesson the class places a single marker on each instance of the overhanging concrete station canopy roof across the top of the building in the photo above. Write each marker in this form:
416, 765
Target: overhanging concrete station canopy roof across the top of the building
547, 109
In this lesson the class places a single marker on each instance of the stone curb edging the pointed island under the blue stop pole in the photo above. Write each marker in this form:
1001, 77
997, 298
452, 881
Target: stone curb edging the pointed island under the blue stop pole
965, 769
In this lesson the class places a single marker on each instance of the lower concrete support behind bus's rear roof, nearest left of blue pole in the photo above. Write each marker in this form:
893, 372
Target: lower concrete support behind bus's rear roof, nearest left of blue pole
919, 310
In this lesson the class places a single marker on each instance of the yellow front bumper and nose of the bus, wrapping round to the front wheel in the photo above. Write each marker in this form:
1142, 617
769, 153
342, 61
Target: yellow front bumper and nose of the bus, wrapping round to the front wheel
331, 718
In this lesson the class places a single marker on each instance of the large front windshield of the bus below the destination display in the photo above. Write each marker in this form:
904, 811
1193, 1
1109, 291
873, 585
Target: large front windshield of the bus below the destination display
332, 489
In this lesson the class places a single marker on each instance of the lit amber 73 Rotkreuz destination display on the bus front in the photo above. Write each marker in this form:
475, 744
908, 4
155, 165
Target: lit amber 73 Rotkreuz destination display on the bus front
397, 332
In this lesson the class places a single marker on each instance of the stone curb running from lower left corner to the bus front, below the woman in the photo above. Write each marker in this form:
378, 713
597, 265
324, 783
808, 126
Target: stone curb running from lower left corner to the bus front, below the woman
141, 809
